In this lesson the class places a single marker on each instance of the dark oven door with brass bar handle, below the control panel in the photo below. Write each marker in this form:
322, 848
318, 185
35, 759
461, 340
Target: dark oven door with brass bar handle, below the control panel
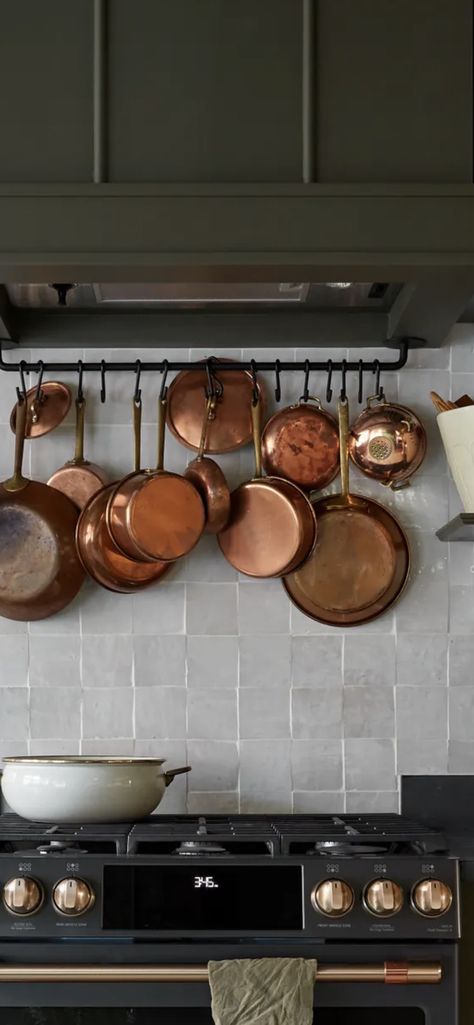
143, 986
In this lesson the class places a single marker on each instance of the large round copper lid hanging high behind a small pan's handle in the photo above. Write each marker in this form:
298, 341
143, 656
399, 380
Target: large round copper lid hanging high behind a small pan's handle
231, 427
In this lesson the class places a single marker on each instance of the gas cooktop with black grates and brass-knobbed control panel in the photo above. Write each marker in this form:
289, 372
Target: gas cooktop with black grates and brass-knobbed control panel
318, 878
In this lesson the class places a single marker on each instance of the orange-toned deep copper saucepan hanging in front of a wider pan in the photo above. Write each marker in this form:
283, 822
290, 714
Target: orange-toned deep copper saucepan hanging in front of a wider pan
156, 515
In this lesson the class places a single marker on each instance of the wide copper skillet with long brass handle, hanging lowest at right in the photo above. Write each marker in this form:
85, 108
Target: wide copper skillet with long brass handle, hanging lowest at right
361, 564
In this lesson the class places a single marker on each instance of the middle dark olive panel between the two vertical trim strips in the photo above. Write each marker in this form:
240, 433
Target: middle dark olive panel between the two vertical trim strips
206, 92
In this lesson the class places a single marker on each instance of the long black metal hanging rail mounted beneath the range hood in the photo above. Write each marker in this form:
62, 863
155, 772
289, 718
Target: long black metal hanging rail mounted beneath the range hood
104, 367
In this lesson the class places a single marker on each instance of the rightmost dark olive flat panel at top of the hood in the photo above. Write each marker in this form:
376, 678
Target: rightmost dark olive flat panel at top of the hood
394, 91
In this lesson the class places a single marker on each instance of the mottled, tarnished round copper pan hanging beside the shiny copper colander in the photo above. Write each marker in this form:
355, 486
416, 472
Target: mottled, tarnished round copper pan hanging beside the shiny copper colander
301, 443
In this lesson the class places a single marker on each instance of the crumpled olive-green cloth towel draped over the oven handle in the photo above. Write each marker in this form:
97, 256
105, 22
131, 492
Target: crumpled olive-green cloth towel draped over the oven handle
263, 992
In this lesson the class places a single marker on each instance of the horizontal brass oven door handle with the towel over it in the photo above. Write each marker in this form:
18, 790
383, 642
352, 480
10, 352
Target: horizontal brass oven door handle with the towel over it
393, 973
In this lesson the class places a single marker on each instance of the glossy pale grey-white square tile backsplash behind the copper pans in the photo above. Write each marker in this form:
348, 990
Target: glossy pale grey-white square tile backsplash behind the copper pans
274, 712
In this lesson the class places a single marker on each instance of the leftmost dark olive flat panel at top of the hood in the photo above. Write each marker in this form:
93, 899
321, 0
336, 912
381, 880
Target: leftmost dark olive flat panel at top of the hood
47, 92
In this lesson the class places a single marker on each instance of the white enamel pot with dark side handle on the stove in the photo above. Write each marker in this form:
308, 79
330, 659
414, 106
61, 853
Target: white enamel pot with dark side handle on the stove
80, 790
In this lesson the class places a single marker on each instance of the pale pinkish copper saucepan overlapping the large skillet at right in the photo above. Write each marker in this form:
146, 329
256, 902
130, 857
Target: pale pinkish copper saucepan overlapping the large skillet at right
272, 527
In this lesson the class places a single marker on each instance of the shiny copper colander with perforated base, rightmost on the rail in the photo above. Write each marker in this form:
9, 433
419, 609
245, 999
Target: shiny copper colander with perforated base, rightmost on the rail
388, 443
